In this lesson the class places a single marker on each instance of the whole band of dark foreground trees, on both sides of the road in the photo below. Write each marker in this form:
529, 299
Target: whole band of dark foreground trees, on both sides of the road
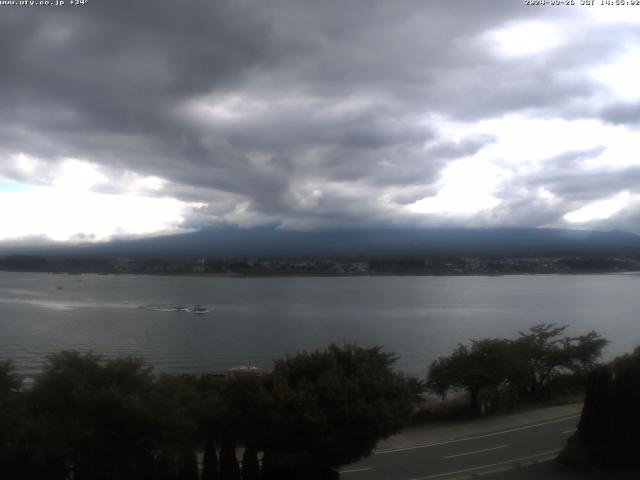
90, 418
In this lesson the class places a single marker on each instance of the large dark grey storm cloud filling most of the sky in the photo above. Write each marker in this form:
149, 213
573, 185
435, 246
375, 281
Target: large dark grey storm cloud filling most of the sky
299, 113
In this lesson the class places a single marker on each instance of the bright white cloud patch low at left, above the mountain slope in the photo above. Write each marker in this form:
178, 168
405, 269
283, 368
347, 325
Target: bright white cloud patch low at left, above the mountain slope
68, 208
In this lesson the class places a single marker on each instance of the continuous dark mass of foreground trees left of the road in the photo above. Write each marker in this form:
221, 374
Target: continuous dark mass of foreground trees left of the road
90, 418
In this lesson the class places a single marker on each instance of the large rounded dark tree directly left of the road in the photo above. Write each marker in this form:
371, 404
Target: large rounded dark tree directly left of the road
331, 407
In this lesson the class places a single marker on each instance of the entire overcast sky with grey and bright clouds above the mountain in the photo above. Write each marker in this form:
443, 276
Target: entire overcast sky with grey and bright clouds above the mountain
132, 117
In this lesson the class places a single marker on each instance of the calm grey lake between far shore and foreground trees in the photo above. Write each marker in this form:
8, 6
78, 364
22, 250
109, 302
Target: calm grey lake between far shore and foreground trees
251, 321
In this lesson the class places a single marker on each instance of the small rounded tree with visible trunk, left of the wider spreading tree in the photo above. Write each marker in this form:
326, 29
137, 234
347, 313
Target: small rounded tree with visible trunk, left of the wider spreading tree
483, 365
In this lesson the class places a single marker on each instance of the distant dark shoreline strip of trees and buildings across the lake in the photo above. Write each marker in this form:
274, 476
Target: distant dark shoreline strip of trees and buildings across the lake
435, 265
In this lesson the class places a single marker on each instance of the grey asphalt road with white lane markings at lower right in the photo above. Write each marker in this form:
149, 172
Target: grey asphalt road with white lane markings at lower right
465, 457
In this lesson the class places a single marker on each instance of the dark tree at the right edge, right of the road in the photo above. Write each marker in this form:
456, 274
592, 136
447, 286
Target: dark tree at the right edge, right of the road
608, 432
